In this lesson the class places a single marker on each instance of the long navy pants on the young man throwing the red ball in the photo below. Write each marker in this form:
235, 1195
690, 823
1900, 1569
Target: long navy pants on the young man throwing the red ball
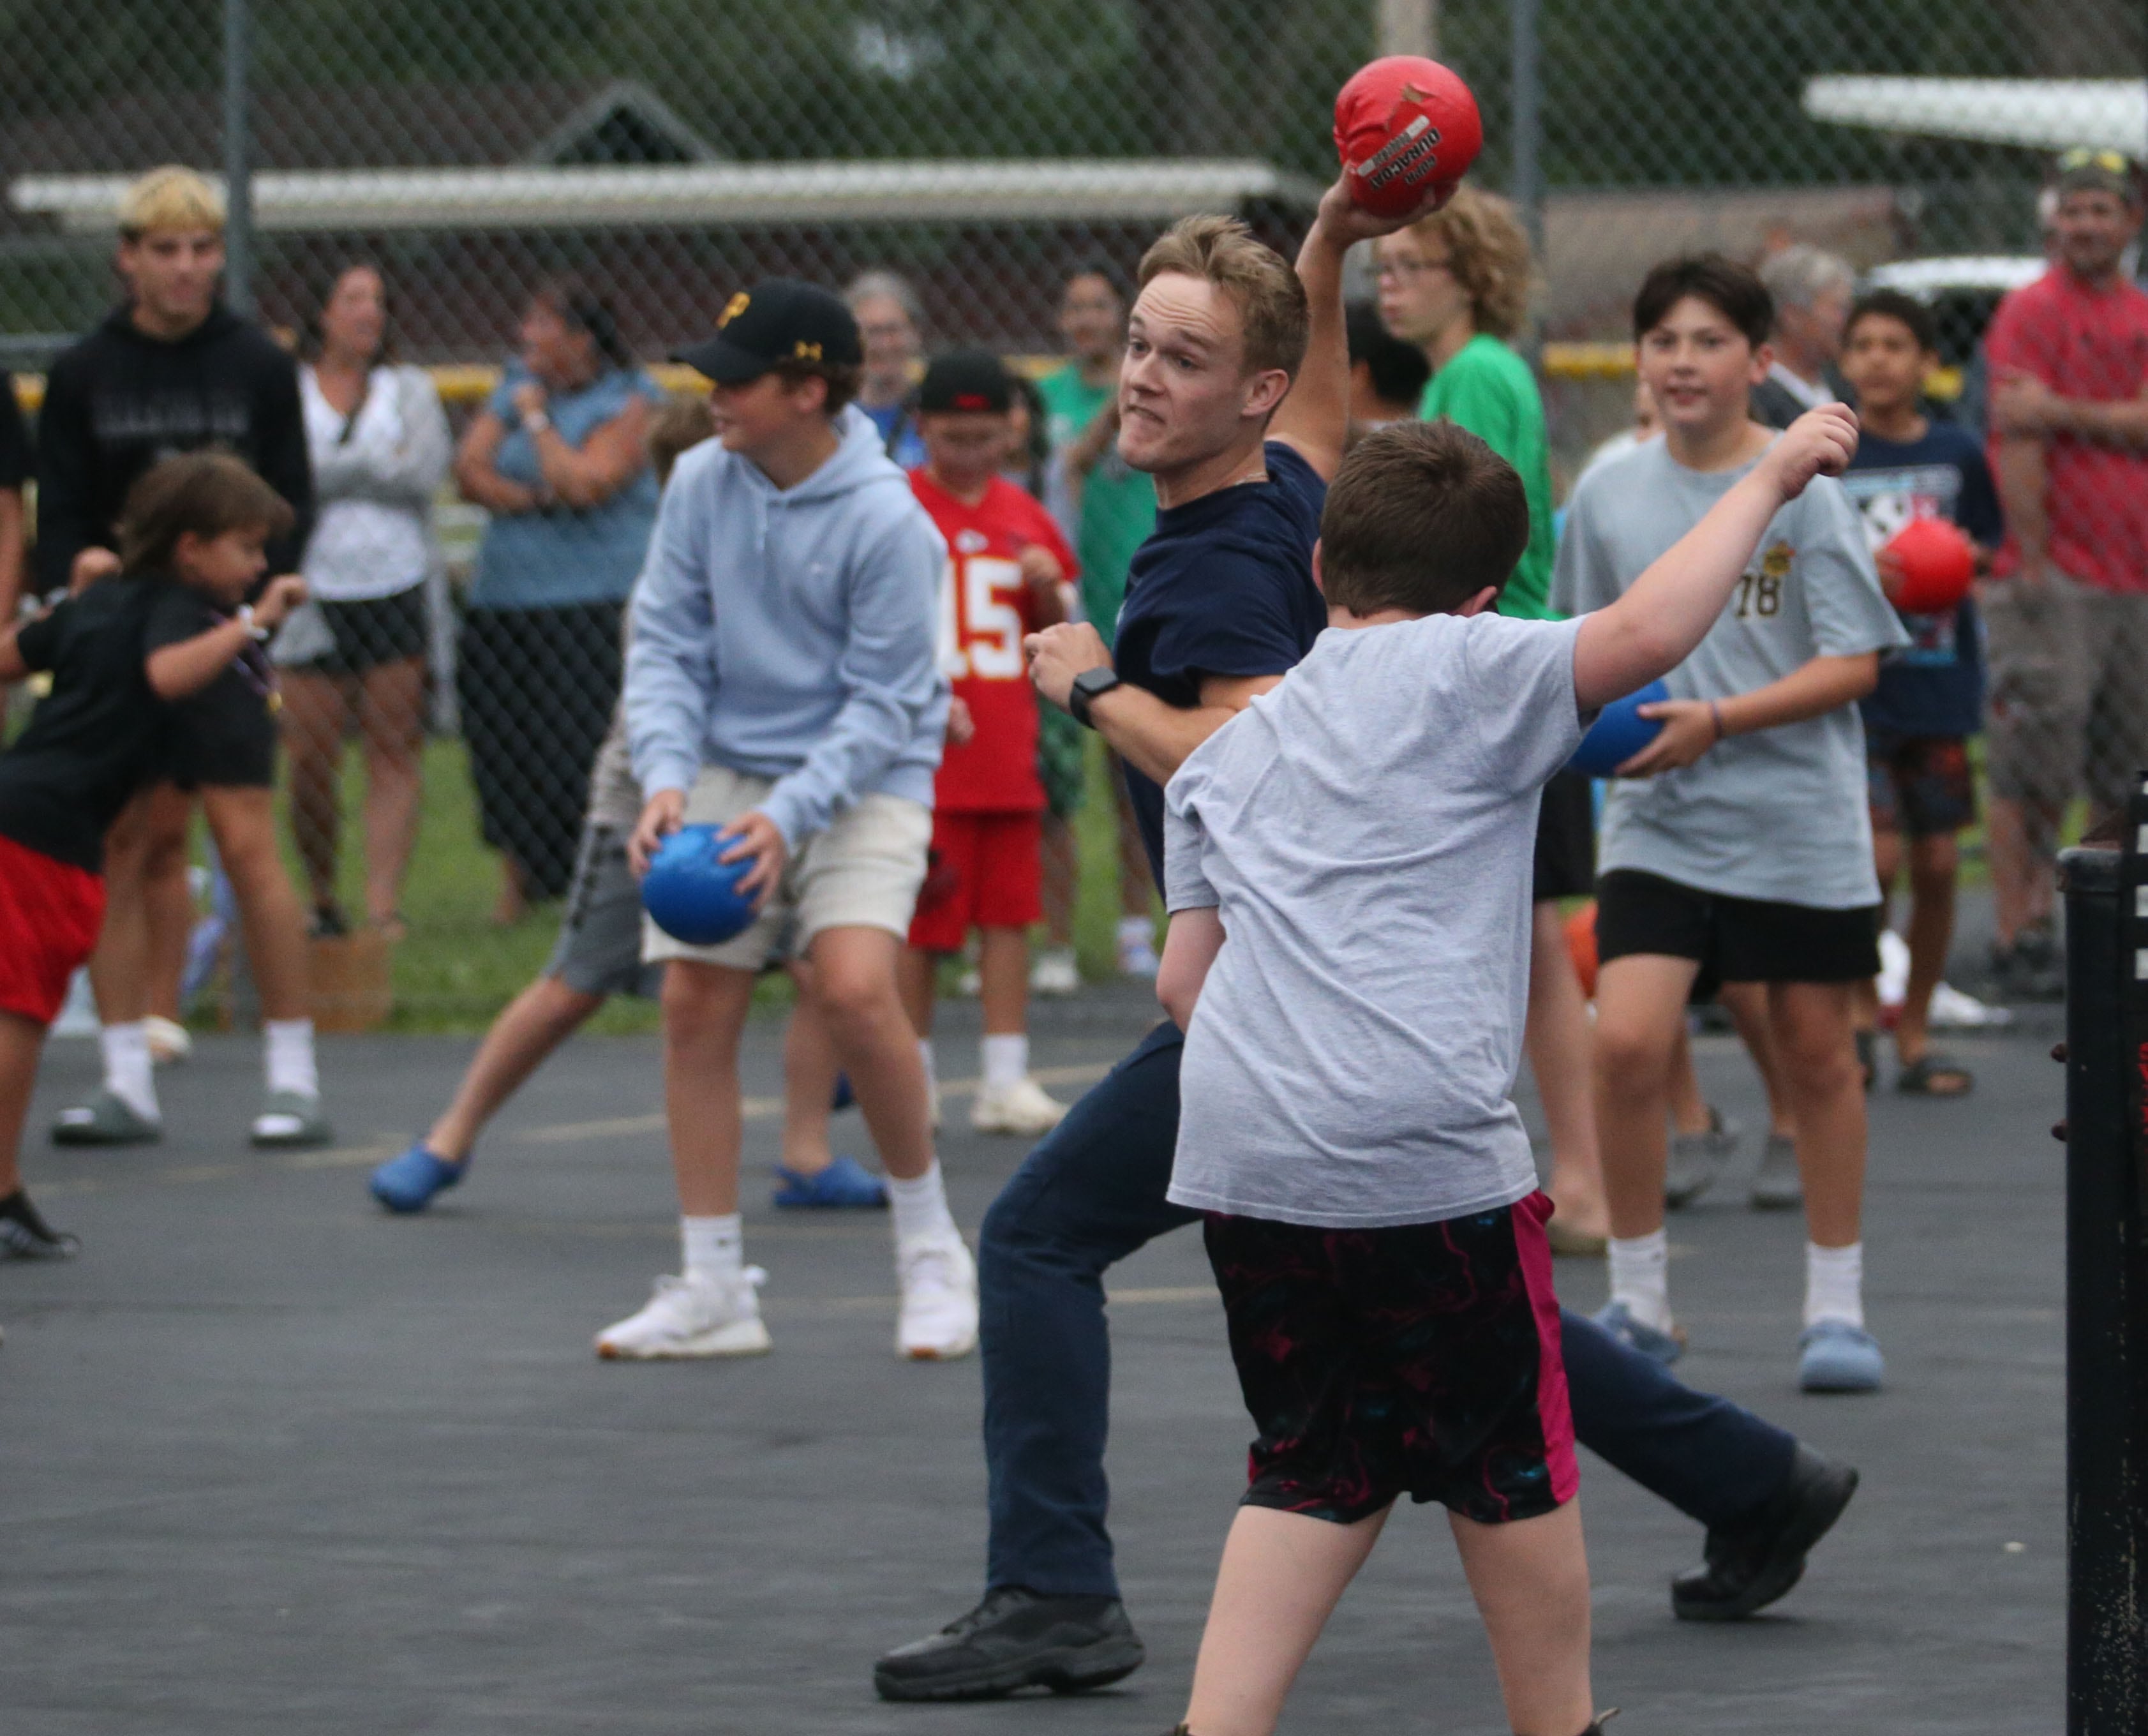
1088, 1198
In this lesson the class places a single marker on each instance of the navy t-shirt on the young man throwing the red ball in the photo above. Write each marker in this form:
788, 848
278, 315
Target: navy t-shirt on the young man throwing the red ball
1221, 588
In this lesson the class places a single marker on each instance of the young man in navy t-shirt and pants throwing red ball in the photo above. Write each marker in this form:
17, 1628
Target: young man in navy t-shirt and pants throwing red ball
1236, 401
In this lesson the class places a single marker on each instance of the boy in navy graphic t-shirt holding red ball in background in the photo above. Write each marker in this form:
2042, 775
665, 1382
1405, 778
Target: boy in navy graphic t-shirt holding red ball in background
1930, 697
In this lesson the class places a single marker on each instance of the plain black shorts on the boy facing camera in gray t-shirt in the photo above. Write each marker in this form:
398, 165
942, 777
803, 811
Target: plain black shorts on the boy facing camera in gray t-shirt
1732, 940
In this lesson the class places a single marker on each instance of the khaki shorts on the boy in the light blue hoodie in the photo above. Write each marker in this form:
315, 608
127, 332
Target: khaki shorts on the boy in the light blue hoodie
860, 873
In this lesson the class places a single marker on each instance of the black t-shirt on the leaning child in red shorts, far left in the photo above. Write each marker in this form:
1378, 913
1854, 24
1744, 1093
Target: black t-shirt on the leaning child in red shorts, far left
98, 736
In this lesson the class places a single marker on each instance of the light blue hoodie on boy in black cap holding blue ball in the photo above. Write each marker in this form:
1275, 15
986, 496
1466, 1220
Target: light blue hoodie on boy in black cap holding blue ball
792, 633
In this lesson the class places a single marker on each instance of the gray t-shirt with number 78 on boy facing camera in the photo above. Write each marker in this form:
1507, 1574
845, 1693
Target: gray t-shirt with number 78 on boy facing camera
1777, 815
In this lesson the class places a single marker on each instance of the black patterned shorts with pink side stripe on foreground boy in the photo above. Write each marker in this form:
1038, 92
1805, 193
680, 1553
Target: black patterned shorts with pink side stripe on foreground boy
1412, 1361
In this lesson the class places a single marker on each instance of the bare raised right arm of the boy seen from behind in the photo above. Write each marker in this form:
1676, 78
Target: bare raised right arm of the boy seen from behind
1670, 609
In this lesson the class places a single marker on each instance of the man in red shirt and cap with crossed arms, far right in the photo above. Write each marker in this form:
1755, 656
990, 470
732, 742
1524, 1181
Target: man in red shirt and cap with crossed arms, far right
2070, 611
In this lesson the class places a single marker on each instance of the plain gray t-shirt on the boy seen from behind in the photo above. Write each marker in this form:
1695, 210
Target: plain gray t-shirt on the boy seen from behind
1367, 833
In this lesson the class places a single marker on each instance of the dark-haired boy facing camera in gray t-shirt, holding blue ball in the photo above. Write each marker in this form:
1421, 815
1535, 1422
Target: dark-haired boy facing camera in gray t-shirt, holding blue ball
1737, 848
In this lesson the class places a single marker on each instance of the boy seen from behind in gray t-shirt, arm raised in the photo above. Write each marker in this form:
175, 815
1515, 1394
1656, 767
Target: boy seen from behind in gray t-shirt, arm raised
1348, 871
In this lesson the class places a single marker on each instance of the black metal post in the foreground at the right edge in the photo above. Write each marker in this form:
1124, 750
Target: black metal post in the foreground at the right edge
2106, 1288
